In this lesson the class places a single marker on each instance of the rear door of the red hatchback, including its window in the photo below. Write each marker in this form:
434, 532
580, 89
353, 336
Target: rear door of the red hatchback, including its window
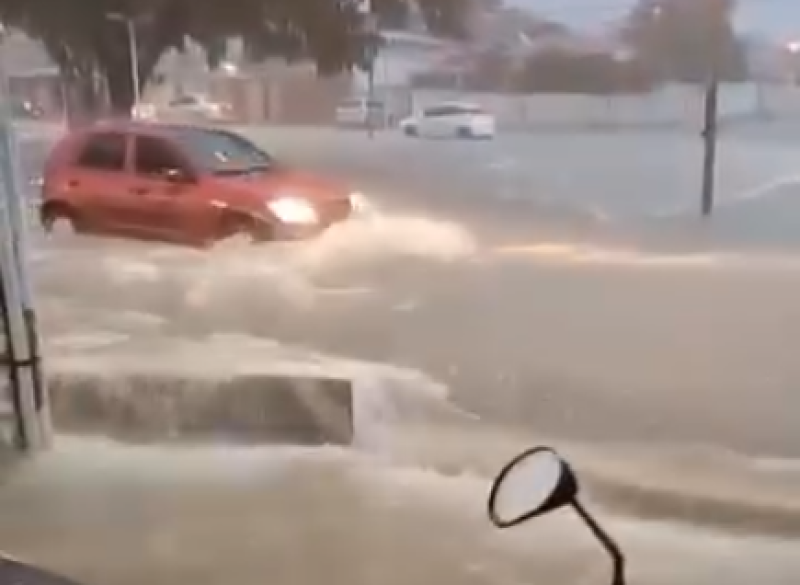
96, 183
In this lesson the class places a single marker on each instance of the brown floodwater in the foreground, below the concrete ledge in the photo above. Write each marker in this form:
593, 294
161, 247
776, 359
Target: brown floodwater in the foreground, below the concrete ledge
121, 515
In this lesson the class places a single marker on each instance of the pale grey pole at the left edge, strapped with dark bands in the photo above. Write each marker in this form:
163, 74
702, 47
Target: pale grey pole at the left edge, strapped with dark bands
29, 397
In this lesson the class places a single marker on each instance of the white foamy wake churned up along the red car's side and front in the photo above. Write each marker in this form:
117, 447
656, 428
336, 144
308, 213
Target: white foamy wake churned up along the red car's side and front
232, 281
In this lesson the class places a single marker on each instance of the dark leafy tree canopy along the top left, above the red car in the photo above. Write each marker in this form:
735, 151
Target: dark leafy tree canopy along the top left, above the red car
91, 50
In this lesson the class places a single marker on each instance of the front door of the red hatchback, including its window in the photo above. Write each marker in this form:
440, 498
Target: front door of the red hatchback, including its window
169, 192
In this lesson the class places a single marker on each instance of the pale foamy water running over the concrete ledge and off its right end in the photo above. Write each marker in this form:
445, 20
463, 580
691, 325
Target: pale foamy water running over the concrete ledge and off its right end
386, 399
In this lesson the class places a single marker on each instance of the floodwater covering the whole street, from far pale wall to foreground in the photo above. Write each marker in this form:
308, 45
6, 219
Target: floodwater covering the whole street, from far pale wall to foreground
549, 288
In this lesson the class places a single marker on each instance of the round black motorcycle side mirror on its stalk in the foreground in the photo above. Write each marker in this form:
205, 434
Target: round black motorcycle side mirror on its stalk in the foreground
536, 482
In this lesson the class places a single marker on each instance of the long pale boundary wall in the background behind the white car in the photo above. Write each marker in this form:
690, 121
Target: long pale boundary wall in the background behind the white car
674, 106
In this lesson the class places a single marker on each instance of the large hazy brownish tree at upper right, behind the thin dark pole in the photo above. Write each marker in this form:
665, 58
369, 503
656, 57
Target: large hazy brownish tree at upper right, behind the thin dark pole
687, 40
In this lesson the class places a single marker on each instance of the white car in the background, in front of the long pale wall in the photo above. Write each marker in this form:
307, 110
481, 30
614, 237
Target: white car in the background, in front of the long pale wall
450, 120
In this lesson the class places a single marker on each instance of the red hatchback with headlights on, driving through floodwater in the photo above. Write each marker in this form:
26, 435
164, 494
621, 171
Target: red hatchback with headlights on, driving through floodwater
182, 184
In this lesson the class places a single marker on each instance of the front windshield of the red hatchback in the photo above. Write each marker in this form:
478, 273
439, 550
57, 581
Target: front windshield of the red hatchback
221, 152
